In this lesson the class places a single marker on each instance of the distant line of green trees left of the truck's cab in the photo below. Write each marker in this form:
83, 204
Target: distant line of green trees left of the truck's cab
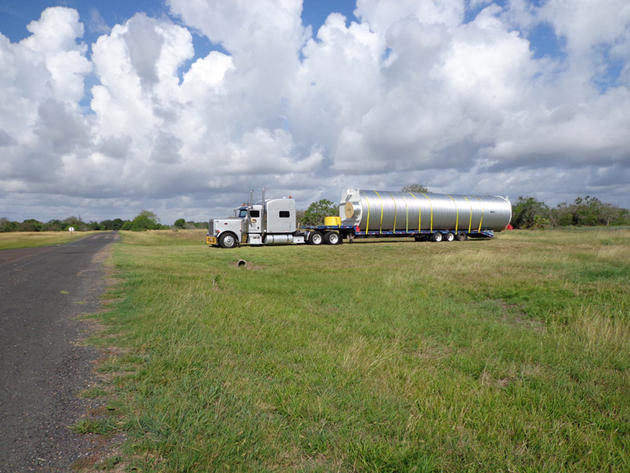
145, 220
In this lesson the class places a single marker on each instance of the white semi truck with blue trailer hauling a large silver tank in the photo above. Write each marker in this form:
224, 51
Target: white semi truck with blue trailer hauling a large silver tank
365, 214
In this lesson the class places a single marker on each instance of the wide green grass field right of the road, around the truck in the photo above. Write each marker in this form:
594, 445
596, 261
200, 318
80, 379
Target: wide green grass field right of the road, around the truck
509, 355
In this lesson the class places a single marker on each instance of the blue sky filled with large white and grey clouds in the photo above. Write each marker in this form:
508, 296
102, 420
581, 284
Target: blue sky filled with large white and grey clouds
464, 96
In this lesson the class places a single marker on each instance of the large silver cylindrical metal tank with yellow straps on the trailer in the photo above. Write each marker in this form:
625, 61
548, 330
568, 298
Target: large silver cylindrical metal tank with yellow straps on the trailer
413, 211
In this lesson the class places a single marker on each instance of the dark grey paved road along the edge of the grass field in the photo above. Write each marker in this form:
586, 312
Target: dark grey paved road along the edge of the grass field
42, 369
